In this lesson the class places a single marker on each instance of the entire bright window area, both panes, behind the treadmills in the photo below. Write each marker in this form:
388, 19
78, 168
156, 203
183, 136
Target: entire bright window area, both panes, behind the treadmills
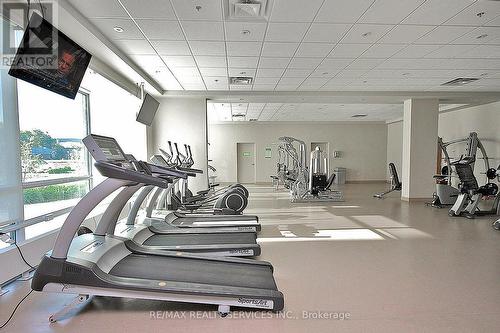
56, 168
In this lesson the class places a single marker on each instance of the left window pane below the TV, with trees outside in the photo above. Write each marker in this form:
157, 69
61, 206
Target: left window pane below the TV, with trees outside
55, 167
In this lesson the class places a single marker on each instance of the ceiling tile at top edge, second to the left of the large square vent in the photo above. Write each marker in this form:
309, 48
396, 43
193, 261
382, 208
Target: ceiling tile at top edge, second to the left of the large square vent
156, 9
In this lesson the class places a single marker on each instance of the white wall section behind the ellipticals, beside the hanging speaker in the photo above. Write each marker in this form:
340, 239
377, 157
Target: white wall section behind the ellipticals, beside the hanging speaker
183, 120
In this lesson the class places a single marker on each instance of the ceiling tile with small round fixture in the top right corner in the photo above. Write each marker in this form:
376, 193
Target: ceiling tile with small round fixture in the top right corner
468, 16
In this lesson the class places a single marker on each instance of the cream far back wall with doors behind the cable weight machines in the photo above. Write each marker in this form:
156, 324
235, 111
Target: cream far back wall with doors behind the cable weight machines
363, 146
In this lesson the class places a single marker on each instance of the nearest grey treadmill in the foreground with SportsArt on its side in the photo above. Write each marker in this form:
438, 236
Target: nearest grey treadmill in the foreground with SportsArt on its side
108, 265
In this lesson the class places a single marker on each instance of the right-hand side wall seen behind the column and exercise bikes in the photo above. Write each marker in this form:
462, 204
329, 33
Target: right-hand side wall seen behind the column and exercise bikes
484, 119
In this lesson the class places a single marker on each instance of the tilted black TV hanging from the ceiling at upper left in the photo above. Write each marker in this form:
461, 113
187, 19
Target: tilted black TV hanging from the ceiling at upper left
49, 59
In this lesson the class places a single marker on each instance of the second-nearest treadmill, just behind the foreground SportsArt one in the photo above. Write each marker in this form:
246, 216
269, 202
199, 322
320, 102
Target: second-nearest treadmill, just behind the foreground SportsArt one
220, 243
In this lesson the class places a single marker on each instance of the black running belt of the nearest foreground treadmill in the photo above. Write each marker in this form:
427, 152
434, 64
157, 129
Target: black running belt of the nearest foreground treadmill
194, 271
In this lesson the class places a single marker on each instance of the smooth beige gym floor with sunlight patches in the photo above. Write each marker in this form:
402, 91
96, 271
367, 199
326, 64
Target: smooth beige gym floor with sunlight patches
388, 265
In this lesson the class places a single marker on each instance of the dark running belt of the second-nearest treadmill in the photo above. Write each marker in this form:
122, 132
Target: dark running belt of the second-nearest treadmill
201, 239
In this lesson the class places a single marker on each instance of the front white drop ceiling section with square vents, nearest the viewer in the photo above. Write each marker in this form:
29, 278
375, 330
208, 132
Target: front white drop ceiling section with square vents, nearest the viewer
326, 45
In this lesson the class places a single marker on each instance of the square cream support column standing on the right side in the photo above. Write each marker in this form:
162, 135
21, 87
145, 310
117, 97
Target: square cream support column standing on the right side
420, 134
